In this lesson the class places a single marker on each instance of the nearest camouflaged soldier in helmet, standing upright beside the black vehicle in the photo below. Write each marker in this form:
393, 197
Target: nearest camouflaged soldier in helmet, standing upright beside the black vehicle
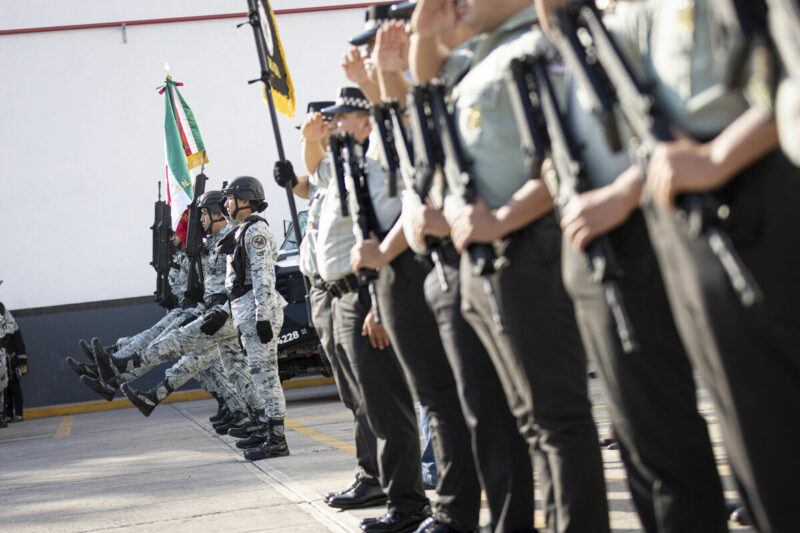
256, 306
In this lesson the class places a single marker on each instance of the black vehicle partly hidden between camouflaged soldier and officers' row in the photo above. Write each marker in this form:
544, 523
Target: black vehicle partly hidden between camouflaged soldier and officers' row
298, 343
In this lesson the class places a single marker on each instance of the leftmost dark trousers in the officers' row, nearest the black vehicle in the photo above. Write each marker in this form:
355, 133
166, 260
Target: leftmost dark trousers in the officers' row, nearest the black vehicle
366, 443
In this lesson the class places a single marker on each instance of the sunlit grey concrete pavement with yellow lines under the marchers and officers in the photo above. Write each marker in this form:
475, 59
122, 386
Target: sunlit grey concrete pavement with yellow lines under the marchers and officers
120, 471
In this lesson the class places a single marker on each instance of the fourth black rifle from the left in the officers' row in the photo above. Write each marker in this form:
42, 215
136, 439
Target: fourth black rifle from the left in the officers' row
536, 109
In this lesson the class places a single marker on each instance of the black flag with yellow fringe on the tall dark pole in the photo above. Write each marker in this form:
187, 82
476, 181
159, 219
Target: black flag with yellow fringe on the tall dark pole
279, 78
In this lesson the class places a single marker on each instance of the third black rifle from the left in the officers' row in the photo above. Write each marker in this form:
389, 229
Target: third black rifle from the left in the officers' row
457, 168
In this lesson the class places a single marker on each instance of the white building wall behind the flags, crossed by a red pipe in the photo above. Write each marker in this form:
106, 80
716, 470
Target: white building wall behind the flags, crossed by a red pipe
81, 130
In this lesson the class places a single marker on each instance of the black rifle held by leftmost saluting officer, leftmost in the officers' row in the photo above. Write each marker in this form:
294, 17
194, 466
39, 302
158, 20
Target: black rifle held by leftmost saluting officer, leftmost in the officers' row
351, 177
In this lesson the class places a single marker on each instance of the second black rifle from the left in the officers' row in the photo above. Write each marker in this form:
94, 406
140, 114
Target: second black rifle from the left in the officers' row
389, 113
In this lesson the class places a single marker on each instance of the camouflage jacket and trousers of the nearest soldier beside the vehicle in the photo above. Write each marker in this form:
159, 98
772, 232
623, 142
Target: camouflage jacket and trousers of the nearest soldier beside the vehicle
262, 302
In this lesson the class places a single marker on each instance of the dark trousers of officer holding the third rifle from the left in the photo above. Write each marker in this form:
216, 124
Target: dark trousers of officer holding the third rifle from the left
542, 365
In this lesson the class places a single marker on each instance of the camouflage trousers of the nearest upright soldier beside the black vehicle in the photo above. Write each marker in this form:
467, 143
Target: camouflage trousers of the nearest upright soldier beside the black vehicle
262, 358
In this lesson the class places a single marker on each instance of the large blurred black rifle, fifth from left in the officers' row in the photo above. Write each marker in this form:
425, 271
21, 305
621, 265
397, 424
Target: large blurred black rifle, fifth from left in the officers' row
596, 56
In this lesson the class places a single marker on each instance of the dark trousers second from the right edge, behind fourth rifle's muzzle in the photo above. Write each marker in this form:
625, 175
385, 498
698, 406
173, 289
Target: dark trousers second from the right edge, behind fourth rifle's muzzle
651, 393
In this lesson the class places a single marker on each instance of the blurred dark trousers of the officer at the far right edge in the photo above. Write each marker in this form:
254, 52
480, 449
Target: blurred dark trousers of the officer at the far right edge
750, 358
